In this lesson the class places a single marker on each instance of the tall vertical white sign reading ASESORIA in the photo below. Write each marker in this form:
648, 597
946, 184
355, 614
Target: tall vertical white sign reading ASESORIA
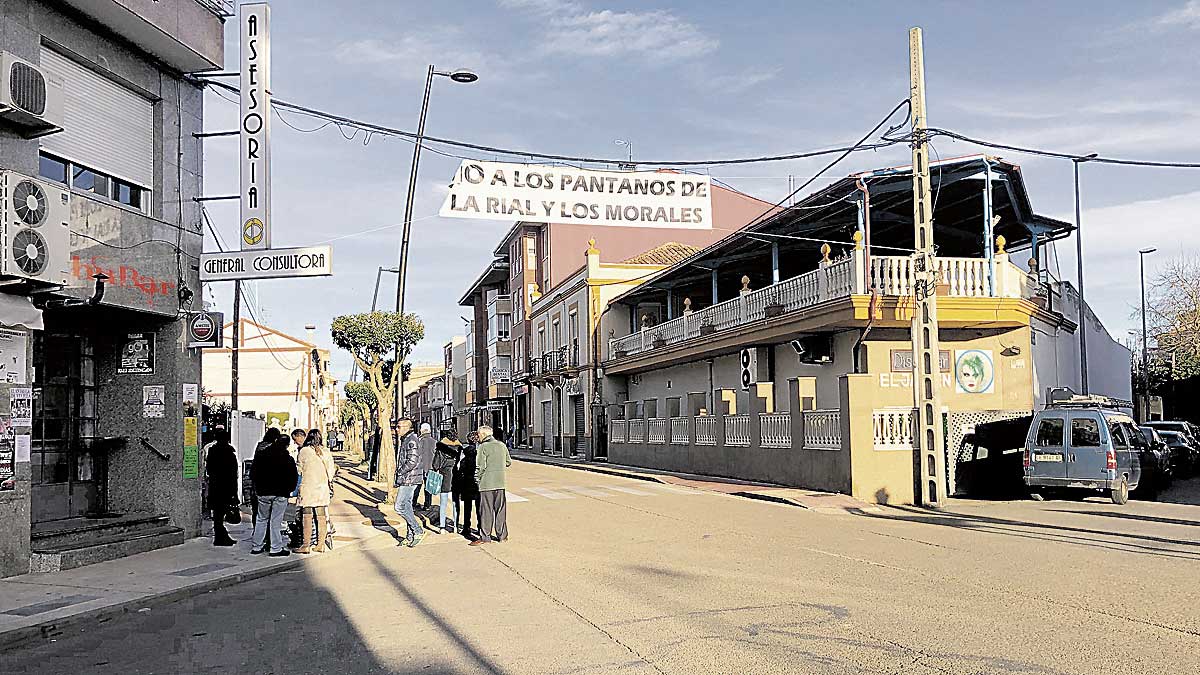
256, 127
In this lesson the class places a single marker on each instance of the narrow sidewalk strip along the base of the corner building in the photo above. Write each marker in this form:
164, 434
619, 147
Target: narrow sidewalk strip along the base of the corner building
813, 500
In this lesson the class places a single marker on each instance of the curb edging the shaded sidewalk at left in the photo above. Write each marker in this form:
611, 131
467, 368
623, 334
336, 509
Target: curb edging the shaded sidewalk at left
28, 635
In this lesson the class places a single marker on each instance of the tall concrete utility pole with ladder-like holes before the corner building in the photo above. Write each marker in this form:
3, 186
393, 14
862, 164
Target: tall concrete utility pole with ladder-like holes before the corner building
929, 464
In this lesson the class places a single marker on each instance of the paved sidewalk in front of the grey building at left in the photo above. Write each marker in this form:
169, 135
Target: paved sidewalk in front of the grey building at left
46, 606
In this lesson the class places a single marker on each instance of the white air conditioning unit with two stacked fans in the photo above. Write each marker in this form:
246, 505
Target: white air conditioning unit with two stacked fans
35, 224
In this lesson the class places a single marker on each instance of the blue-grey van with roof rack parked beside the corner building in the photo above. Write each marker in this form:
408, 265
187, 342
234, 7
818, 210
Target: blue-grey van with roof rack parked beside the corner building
1085, 444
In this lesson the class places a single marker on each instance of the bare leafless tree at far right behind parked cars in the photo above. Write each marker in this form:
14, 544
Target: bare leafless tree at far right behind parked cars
1173, 313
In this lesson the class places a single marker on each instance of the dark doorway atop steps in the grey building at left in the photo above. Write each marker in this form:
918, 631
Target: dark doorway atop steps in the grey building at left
67, 461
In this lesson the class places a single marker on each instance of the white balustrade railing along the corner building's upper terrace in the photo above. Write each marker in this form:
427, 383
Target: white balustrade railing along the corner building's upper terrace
892, 276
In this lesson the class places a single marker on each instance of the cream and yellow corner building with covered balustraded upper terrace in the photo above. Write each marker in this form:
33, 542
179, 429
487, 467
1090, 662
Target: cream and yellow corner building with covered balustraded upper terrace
784, 354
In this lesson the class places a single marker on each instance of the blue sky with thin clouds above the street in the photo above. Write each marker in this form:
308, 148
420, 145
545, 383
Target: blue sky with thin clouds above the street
703, 81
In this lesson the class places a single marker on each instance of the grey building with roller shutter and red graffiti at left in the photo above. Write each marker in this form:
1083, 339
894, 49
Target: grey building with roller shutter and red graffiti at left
105, 165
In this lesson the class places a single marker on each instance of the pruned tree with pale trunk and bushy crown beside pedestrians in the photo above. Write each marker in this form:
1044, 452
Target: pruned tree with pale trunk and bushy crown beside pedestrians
371, 339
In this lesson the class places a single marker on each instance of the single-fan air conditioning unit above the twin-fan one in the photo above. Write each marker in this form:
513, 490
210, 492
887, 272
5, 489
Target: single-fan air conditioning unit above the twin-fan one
31, 100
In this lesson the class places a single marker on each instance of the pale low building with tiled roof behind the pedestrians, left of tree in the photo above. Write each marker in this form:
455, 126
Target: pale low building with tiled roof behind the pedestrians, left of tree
283, 378
